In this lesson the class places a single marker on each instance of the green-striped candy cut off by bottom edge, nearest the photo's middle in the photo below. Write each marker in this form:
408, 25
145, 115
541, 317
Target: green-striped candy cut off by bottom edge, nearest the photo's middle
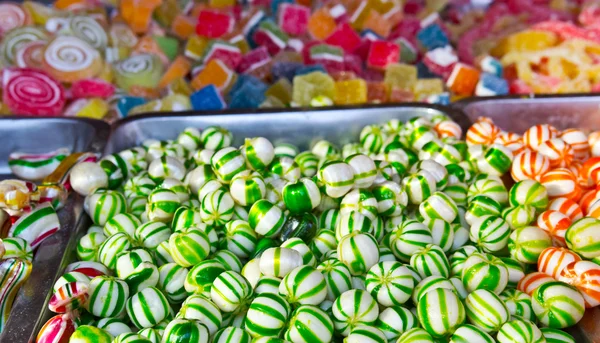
309, 324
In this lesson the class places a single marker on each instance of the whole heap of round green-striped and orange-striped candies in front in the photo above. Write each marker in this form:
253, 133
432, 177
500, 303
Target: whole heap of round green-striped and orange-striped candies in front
409, 235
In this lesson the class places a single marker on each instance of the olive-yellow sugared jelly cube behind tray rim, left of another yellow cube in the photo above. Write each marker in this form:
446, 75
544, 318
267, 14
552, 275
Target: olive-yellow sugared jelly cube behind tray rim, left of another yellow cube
309, 86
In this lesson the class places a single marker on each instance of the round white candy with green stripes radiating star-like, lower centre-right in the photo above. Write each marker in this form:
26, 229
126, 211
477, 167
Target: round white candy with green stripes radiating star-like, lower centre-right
390, 283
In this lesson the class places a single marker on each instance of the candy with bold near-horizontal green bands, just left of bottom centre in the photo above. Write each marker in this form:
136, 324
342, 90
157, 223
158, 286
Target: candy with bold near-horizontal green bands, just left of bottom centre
267, 316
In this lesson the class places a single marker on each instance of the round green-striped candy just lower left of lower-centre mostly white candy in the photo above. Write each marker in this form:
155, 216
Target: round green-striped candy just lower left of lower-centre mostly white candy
230, 291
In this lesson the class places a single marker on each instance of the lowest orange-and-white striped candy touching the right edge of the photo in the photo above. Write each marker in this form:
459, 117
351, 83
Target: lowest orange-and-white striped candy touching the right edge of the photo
585, 276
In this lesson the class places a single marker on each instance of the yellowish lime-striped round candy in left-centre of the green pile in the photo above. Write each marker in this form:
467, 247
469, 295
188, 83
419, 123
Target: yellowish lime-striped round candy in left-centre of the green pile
189, 248
